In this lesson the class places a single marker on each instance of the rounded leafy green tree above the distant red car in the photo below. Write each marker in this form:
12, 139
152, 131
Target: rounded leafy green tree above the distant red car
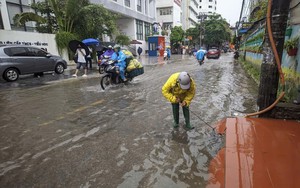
216, 30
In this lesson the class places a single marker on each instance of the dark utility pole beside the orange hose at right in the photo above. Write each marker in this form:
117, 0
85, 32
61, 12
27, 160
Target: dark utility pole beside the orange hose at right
269, 78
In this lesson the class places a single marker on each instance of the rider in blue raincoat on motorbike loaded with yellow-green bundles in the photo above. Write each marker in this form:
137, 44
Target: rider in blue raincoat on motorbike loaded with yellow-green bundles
119, 56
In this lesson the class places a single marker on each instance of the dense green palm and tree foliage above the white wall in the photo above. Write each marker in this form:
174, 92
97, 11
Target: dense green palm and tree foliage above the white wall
70, 19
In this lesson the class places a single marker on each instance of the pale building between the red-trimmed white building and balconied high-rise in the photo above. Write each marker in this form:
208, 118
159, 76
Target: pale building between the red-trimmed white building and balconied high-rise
190, 10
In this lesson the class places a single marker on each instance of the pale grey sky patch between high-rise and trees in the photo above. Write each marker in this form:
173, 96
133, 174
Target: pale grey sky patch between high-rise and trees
230, 10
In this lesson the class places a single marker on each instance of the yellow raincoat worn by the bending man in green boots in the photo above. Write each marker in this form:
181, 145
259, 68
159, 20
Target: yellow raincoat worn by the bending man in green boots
171, 90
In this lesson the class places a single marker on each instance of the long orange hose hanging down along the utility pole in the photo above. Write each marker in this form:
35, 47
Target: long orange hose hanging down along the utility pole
277, 62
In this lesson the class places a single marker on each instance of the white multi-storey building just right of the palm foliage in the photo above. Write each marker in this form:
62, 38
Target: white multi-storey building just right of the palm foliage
137, 17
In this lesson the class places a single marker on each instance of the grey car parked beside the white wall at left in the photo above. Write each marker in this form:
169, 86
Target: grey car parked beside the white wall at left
17, 60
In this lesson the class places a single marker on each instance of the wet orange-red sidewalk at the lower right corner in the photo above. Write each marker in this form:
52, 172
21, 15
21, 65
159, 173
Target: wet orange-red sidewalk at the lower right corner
258, 153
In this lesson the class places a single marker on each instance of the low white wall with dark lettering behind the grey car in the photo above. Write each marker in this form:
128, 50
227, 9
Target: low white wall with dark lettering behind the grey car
40, 40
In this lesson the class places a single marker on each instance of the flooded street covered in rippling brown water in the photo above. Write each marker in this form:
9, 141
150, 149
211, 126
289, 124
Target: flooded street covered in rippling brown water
71, 133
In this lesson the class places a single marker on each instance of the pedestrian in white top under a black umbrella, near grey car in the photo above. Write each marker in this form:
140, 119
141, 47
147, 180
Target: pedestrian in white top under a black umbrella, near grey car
81, 51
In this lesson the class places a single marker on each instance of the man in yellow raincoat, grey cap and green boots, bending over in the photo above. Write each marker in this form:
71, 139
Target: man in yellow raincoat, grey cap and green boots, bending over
180, 89
